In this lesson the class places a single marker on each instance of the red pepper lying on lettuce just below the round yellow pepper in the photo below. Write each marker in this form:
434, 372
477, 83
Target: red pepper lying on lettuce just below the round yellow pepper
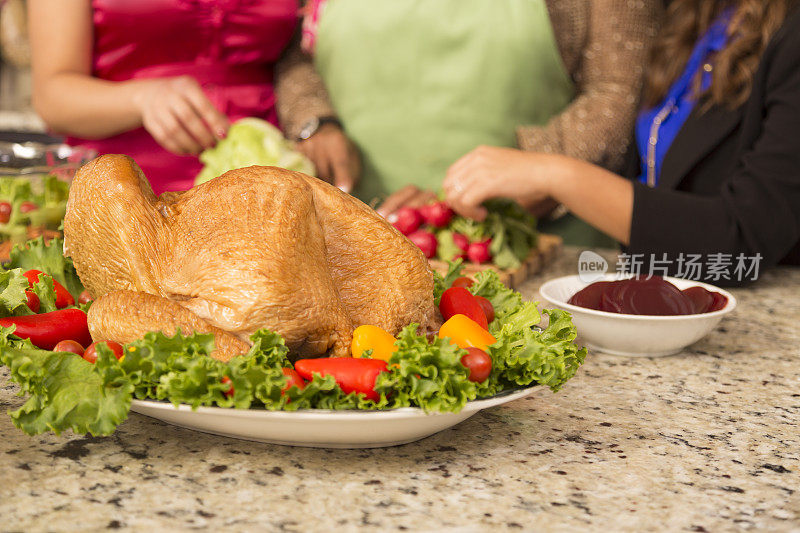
351, 373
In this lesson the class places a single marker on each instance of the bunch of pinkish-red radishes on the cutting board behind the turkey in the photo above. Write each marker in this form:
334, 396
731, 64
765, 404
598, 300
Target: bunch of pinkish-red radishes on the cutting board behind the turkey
419, 224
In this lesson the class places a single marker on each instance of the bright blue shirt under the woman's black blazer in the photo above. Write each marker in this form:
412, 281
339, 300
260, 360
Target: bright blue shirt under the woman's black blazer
680, 99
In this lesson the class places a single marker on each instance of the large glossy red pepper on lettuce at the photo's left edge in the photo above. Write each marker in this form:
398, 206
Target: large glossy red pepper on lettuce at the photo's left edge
48, 329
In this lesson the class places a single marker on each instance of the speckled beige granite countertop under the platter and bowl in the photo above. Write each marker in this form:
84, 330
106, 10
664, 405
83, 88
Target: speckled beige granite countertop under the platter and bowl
707, 440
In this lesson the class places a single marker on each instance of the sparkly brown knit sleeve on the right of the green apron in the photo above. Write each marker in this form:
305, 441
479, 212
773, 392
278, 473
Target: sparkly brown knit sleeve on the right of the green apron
596, 126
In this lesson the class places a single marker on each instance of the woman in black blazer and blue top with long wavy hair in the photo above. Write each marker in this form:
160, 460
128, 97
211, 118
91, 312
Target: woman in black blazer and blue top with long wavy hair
715, 170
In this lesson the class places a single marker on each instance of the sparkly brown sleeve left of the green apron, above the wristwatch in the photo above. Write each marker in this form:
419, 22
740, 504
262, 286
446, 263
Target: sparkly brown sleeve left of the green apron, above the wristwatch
300, 94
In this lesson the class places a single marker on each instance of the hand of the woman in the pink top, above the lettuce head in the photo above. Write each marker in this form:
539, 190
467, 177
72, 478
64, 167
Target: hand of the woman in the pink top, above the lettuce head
179, 115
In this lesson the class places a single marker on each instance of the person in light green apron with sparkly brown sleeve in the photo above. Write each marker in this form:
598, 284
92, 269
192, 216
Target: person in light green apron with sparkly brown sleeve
417, 84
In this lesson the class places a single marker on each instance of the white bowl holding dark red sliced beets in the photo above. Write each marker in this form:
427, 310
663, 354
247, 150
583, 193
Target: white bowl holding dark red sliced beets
634, 335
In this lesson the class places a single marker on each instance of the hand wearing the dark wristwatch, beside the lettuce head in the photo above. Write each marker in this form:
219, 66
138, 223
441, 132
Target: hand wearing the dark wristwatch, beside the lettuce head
334, 155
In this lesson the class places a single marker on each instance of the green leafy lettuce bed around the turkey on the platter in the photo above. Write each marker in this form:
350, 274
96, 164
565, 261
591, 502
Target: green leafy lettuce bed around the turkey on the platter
67, 392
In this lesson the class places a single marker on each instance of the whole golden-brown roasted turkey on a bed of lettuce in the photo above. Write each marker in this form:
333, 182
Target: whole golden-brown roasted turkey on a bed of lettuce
258, 247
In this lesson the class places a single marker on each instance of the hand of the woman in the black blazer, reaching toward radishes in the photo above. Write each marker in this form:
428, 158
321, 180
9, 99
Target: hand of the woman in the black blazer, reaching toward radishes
490, 172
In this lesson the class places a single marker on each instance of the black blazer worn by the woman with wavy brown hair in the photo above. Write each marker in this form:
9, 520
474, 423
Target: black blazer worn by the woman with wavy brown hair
730, 182
